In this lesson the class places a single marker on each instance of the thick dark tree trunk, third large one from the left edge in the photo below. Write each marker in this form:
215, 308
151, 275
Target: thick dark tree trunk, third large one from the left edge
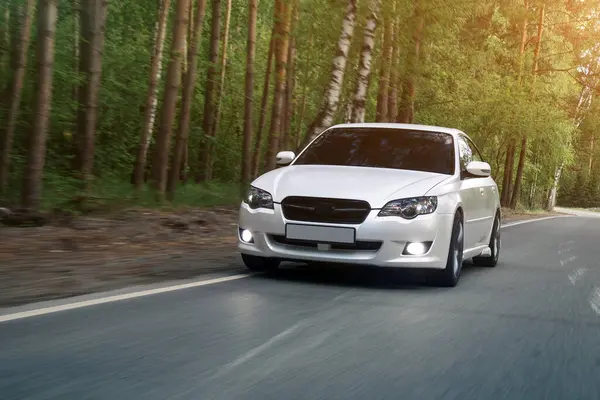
93, 20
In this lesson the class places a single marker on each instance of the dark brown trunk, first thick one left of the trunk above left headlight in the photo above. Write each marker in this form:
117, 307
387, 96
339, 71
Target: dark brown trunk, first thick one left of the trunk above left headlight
210, 95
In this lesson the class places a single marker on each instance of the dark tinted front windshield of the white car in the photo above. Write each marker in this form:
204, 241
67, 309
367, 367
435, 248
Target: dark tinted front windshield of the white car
382, 148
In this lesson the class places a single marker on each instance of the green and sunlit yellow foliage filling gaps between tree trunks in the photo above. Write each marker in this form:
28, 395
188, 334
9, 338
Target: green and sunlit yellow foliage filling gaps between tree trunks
465, 78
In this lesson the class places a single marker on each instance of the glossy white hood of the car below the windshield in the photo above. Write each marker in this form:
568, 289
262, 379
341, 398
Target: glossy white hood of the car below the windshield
374, 185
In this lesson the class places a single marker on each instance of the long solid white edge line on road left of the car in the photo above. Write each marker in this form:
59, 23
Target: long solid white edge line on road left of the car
111, 299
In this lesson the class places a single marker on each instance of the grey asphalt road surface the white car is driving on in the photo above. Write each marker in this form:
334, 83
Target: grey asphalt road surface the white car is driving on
528, 329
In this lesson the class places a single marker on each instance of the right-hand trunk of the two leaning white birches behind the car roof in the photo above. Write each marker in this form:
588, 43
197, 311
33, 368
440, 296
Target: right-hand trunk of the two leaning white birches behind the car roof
364, 69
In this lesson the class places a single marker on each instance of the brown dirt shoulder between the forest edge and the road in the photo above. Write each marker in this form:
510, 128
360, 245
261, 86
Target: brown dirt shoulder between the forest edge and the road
75, 256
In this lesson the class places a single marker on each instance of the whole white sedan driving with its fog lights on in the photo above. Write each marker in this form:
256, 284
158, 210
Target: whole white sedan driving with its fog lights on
385, 195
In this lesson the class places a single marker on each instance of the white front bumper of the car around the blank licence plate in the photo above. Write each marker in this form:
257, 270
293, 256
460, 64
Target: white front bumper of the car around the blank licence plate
268, 229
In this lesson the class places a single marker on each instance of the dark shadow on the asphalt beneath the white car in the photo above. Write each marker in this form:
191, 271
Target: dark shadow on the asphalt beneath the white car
358, 276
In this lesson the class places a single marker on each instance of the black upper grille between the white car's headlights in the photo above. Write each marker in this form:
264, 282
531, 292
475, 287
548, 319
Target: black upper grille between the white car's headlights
317, 209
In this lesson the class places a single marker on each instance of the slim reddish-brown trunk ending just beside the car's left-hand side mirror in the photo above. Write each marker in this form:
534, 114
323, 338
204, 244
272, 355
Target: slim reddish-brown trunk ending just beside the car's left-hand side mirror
282, 26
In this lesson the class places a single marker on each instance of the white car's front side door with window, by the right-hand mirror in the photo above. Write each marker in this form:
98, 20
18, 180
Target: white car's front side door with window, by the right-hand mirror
473, 197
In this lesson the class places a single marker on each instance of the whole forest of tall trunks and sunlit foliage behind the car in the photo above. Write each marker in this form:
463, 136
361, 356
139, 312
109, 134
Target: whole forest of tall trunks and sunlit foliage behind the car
187, 101
